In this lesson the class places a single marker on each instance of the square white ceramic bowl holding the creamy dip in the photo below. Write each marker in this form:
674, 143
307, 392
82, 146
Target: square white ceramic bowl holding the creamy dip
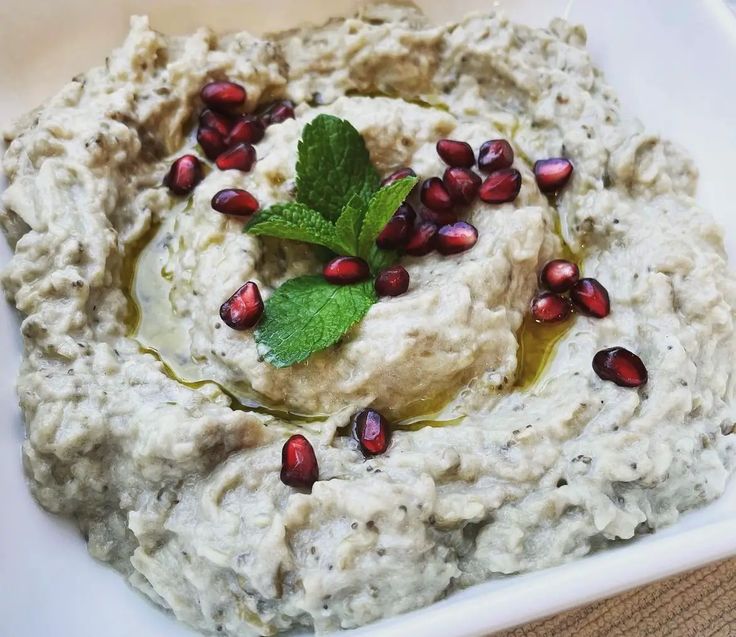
672, 63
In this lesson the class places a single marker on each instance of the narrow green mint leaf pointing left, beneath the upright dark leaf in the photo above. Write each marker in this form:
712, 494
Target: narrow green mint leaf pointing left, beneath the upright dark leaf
297, 222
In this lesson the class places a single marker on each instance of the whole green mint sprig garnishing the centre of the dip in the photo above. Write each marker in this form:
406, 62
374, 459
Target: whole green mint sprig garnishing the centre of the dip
340, 206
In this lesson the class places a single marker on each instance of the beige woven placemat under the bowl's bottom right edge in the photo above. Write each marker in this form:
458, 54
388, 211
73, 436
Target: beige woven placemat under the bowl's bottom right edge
701, 603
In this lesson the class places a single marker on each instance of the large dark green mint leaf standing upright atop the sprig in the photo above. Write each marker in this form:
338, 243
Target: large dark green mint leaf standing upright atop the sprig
333, 165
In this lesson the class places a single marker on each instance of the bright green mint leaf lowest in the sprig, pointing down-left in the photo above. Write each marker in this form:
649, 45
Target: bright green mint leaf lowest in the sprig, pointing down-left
308, 314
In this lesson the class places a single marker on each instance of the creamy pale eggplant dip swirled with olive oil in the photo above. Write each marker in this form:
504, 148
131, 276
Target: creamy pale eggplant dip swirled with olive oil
159, 429
